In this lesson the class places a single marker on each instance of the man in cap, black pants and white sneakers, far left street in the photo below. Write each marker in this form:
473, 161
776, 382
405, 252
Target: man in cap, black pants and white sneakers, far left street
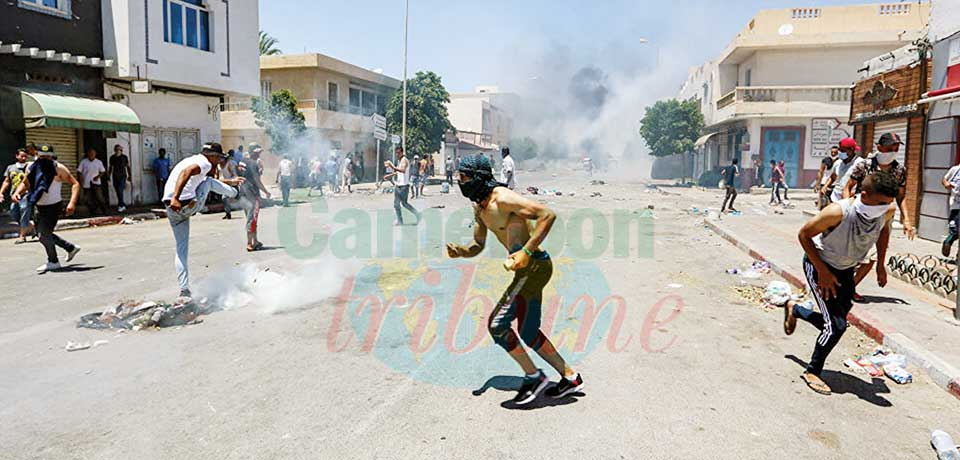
41, 187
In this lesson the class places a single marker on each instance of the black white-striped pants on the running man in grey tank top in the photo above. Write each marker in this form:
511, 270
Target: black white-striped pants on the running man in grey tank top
832, 318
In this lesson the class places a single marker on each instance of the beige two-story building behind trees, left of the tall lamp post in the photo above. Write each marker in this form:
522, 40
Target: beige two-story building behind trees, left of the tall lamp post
336, 98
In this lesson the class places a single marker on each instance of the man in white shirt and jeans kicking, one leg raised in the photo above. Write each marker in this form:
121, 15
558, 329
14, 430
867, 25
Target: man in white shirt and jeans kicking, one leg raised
185, 193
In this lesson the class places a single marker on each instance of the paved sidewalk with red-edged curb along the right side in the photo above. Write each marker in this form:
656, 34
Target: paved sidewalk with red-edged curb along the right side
902, 317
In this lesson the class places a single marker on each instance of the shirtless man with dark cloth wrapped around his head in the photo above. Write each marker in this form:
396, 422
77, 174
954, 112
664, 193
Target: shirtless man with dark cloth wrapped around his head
507, 215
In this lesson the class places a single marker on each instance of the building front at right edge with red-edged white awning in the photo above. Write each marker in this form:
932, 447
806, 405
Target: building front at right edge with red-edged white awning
942, 104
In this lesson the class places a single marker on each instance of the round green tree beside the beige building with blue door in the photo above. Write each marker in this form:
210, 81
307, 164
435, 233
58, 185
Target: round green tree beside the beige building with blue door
672, 127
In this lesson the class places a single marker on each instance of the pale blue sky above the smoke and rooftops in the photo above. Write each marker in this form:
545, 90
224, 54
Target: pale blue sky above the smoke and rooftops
500, 42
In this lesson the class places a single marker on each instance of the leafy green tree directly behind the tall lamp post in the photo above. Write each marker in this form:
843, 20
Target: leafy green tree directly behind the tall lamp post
426, 113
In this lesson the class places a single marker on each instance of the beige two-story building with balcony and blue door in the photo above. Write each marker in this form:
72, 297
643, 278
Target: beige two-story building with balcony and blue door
781, 89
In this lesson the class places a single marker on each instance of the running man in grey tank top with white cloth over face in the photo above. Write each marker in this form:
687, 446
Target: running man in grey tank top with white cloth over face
835, 242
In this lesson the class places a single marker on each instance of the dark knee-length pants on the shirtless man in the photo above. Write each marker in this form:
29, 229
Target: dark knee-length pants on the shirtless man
522, 301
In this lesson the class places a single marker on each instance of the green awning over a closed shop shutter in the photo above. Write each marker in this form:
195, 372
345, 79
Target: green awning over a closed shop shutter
56, 111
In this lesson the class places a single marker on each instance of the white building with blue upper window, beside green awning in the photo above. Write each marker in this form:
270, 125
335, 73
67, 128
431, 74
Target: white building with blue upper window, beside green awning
174, 62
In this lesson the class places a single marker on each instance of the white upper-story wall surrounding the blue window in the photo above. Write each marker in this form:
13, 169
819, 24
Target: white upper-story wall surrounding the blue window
133, 37
